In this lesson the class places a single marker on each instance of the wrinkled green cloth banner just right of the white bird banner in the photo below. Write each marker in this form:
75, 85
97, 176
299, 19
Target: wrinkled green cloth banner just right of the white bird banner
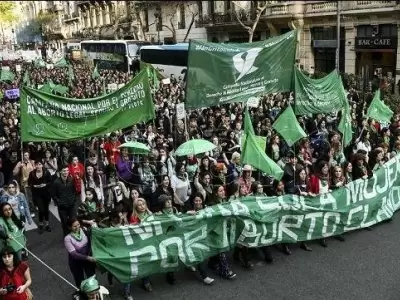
313, 96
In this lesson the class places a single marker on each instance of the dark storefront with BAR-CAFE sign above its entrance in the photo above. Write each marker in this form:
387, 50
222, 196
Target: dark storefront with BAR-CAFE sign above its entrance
376, 48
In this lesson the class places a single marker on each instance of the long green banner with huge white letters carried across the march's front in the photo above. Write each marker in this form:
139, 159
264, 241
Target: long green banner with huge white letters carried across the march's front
165, 243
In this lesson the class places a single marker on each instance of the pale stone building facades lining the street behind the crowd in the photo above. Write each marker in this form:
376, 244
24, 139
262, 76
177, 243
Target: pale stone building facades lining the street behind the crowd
369, 30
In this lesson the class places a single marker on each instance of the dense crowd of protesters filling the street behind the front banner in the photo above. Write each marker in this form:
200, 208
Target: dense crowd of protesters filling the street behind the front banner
95, 183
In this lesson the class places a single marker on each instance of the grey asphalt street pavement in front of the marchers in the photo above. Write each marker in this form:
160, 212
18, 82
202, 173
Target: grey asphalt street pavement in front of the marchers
366, 266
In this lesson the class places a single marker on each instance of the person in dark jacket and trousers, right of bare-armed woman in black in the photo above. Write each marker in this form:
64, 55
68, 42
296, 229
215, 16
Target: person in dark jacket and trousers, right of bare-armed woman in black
64, 197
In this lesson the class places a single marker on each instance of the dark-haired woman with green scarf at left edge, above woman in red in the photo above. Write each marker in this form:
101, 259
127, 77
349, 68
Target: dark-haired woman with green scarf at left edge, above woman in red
13, 229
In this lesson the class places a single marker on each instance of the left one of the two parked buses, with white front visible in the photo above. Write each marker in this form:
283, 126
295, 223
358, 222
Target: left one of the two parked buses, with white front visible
122, 55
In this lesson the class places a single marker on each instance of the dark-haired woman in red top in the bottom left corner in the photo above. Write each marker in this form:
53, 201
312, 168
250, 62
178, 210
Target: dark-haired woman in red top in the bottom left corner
15, 276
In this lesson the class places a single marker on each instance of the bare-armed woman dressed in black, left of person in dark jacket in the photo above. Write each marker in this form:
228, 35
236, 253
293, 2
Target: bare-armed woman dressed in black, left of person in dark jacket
40, 181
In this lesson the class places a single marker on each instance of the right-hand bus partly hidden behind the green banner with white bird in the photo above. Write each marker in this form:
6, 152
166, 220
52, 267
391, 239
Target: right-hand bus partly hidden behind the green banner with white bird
168, 59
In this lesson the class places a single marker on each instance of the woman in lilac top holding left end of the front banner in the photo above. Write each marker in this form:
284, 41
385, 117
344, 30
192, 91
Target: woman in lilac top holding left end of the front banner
78, 247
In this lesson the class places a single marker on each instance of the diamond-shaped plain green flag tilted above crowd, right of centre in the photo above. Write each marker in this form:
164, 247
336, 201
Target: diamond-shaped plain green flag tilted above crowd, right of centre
288, 127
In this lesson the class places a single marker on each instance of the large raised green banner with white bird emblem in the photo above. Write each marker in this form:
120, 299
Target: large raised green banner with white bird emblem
222, 73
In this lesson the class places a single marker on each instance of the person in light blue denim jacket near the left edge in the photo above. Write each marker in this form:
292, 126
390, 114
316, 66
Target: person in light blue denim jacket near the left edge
18, 202
